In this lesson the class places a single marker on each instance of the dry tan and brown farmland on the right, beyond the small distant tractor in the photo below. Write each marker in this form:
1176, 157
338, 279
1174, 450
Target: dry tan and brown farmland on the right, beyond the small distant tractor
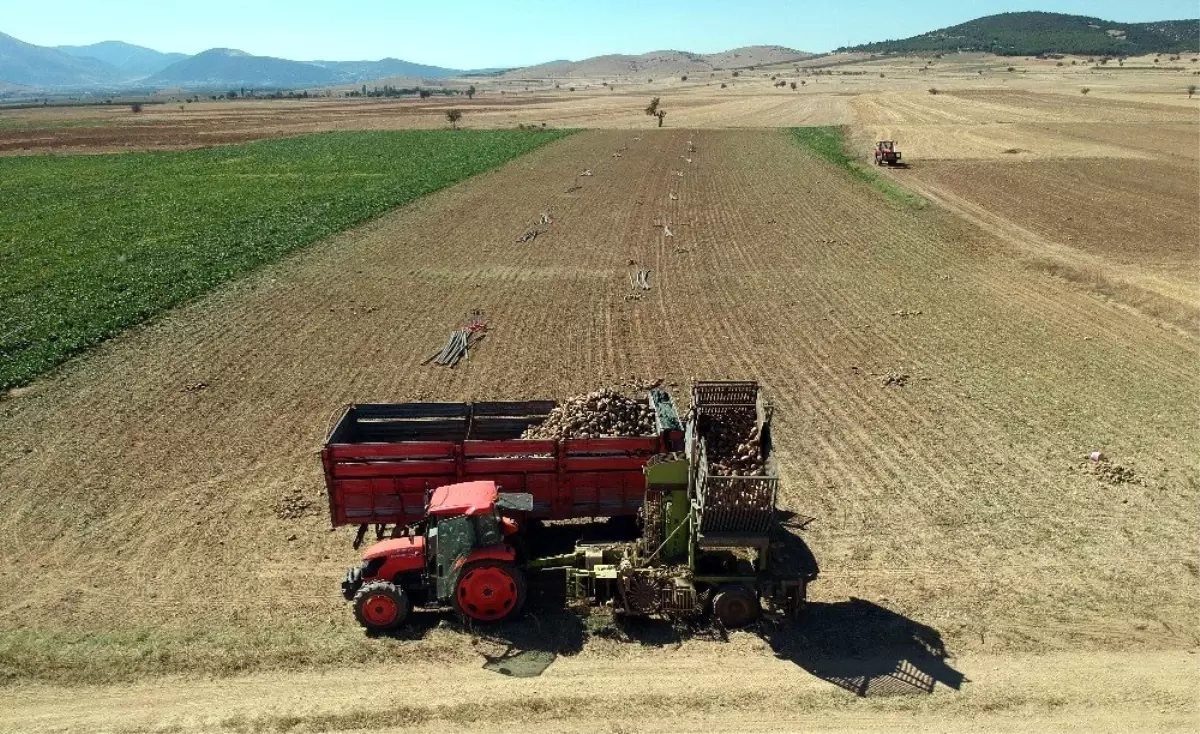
1097, 190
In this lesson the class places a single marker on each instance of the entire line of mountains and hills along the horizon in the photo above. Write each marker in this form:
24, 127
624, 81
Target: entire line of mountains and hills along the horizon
113, 65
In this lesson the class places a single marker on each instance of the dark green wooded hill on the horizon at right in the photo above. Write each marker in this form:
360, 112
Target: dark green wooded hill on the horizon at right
1034, 33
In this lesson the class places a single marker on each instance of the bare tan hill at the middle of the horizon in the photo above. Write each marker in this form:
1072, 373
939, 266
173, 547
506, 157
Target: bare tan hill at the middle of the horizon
662, 63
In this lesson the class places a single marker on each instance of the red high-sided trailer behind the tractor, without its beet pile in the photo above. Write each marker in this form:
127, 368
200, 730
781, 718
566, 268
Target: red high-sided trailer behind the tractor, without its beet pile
383, 460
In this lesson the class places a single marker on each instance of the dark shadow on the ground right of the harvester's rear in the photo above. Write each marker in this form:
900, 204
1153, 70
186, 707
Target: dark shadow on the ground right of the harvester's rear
866, 649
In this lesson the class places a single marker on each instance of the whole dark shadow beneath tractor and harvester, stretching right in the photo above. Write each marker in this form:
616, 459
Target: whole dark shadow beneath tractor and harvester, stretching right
855, 645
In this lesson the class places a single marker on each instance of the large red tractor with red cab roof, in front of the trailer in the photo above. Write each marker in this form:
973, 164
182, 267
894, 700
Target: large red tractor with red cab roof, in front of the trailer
460, 557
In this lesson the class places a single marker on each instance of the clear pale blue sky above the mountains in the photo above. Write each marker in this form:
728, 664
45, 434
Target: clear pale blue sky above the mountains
476, 34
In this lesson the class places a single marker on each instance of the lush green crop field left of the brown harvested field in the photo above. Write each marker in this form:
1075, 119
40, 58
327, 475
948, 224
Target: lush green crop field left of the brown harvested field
91, 245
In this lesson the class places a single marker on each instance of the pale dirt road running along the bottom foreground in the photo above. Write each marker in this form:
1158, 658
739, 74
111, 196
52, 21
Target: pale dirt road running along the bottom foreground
685, 691
